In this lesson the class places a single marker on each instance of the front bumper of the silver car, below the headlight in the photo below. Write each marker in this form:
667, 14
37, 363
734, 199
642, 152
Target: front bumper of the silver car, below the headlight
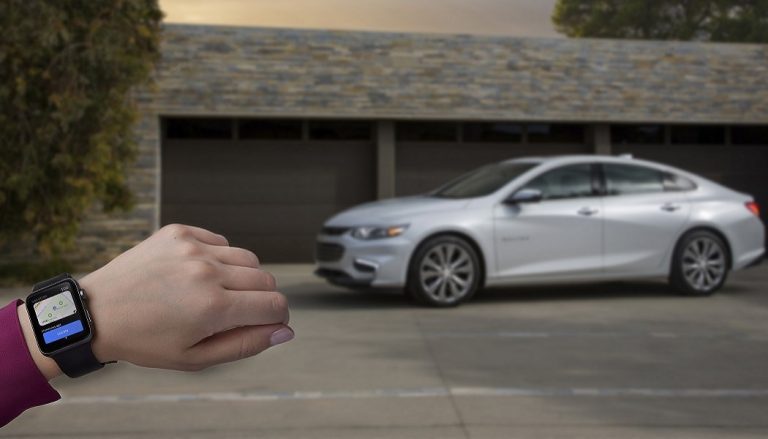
350, 262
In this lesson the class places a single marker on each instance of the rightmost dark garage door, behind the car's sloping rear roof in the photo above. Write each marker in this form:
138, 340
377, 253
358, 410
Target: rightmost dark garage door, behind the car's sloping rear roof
739, 164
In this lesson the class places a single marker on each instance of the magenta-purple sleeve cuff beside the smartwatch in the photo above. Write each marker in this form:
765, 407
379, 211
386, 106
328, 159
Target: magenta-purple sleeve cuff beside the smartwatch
22, 386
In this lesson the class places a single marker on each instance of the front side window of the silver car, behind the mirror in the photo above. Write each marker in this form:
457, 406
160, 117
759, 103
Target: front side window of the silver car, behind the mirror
570, 181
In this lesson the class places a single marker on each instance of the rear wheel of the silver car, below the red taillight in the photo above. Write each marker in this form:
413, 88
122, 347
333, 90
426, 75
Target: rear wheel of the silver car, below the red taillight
700, 263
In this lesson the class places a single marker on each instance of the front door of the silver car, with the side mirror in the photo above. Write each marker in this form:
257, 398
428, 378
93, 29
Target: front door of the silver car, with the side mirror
559, 236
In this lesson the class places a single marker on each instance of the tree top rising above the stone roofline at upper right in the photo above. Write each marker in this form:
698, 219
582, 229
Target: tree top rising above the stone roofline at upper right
744, 21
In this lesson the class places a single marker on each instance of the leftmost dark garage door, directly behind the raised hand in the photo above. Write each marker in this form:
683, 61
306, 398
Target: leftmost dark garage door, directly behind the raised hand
270, 196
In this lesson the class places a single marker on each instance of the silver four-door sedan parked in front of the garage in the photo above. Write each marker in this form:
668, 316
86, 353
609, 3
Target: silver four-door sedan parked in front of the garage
546, 220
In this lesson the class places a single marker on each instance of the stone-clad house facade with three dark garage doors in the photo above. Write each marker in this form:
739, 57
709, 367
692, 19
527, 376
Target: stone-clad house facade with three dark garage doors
261, 134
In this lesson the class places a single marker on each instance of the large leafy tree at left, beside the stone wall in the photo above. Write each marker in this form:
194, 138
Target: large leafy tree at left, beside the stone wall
67, 68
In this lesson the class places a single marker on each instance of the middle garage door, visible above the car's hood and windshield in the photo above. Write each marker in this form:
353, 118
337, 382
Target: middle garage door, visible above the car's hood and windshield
432, 153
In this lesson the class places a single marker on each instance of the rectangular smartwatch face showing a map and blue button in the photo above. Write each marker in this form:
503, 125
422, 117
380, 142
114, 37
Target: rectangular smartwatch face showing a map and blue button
58, 317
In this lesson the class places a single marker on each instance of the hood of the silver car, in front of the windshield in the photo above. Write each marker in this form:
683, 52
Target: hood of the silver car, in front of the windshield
394, 209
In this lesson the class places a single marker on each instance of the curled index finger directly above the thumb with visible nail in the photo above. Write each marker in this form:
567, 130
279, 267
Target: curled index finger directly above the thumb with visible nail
249, 308
